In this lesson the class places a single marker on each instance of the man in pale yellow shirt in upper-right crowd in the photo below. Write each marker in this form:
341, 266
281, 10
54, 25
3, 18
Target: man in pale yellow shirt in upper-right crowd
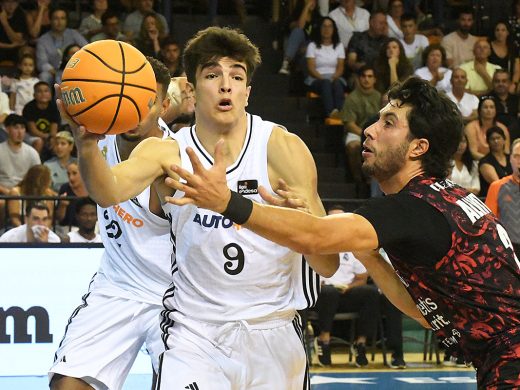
479, 70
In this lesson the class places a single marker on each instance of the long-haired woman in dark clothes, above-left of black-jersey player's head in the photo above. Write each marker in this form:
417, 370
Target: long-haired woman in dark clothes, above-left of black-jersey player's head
391, 65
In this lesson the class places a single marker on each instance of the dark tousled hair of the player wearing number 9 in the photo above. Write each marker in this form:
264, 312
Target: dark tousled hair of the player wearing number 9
214, 43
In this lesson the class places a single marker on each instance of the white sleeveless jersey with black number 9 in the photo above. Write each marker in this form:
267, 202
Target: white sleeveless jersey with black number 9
224, 272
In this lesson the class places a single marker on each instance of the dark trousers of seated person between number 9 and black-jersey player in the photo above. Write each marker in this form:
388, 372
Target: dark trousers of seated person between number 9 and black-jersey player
362, 299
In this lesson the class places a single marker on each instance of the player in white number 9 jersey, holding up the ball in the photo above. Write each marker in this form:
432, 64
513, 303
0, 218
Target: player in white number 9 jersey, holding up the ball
230, 320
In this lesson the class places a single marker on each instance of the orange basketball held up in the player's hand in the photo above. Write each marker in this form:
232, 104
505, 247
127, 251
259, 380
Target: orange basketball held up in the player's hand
108, 87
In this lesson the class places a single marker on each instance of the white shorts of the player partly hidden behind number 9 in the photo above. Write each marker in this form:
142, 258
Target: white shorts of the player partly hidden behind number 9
103, 338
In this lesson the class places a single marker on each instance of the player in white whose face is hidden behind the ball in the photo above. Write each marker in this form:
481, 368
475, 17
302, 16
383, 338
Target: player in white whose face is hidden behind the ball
121, 310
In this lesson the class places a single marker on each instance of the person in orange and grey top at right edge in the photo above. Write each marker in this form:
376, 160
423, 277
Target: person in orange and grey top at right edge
503, 198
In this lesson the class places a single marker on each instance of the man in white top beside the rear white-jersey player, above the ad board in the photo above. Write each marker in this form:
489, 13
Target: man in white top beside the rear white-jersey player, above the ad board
86, 216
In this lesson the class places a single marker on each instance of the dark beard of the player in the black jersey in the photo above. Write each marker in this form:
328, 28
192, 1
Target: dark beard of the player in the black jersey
387, 163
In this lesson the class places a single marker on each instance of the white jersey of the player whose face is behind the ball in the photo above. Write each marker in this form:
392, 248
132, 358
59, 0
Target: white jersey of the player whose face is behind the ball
137, 256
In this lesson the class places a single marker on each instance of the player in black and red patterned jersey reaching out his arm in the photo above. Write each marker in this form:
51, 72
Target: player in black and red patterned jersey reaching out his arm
455, 268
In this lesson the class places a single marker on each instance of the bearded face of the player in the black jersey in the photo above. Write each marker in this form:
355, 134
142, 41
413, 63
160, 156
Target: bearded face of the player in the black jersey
385, 150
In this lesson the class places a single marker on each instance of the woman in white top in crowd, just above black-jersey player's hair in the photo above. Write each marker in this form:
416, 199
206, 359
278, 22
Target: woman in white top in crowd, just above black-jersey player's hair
434, 69
